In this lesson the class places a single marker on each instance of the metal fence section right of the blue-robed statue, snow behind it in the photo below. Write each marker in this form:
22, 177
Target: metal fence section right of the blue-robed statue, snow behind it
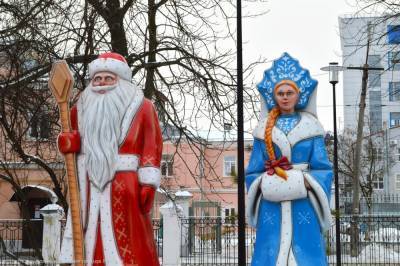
377, 240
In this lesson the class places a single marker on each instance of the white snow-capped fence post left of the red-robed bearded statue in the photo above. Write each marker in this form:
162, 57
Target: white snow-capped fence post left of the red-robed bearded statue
52, 215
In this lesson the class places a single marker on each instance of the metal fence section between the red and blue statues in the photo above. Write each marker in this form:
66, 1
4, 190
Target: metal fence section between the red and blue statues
212, 241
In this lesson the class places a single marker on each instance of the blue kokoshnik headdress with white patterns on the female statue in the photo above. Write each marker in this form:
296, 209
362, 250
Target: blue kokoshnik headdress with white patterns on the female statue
287, 68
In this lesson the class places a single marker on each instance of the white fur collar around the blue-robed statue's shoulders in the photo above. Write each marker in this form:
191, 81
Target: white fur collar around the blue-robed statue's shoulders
308, 127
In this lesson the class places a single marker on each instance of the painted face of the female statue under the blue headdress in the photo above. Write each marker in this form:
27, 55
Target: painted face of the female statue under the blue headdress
286, 97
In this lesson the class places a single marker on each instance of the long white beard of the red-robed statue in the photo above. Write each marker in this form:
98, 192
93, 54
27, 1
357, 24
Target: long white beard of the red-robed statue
102, 116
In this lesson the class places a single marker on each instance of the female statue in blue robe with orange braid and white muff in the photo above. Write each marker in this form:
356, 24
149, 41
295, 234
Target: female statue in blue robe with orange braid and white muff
289, 176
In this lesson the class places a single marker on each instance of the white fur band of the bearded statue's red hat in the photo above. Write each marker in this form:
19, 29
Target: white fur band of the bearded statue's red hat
111, 65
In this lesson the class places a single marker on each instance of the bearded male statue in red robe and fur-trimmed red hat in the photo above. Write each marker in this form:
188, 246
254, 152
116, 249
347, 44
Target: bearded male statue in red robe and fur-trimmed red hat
118, 143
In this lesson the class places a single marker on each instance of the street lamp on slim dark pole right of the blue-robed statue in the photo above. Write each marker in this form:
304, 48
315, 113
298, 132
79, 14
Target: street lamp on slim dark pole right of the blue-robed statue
334, 69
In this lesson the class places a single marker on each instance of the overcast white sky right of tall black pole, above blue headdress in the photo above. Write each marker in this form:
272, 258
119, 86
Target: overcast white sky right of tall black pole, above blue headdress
308, 30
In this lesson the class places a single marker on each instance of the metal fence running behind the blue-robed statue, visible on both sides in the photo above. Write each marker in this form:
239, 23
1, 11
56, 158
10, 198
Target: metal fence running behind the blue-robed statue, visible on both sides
213, 241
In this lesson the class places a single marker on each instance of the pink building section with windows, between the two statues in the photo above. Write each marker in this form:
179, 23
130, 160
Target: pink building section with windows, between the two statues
207, 170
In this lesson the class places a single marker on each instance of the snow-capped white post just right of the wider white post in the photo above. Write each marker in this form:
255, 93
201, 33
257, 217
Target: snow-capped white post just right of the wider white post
182, 198
